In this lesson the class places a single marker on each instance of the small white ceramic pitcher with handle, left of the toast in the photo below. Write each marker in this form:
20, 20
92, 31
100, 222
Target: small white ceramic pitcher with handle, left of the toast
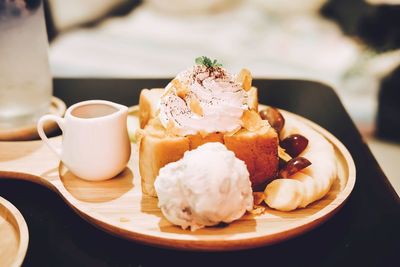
95, 143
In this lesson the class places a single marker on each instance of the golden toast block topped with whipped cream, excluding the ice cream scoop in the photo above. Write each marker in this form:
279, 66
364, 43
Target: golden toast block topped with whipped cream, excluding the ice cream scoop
205, 104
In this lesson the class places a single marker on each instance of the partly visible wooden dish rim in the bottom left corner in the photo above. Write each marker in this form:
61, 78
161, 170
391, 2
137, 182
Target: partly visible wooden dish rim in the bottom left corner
14, 235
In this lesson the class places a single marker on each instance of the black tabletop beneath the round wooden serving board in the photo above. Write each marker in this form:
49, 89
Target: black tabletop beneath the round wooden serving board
365, 232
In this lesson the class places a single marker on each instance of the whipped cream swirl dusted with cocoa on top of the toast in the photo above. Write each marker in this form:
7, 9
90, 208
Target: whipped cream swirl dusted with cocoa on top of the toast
203, 100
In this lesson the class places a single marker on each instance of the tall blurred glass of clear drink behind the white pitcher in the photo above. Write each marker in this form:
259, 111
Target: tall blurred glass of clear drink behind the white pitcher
25, 79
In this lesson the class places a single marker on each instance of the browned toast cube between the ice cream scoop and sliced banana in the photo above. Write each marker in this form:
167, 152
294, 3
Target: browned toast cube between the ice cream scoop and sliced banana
259, 150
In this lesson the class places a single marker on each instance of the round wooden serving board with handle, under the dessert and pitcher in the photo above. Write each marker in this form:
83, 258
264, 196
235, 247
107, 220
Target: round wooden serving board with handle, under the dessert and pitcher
118, 206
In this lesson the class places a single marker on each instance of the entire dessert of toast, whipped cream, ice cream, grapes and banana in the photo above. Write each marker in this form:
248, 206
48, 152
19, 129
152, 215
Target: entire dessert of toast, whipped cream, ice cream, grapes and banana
203, 134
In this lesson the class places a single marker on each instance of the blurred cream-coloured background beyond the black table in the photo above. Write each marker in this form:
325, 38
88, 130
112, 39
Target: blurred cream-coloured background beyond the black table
352, 45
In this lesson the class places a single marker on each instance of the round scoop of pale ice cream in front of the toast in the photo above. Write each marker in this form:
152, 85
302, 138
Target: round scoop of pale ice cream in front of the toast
207, 186
